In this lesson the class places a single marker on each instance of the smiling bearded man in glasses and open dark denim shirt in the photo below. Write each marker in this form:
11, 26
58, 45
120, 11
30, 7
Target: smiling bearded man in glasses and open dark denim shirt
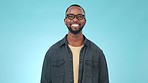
74, 59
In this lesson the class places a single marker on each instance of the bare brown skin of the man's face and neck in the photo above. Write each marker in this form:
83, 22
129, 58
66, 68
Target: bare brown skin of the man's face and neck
75, 39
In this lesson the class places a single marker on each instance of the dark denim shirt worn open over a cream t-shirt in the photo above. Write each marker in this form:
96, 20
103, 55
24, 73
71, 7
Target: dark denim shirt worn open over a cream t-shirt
58, 64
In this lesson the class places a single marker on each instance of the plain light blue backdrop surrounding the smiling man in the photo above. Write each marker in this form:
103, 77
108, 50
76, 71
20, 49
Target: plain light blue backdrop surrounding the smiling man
29, 27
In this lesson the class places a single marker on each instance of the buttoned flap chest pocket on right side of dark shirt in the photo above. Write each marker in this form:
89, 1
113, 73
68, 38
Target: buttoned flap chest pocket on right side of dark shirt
91, 68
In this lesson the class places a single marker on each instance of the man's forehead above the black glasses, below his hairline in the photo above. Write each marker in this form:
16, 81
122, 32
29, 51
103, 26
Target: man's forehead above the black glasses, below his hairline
75, 10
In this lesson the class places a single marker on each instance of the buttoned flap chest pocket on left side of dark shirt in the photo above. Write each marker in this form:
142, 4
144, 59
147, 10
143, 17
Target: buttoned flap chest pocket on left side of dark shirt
58, 68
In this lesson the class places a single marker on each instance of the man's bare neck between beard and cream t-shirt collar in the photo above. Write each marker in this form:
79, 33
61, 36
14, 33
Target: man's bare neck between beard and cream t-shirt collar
75, 39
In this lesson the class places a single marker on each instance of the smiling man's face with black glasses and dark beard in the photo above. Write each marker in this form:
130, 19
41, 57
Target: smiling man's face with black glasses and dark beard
75, 19
